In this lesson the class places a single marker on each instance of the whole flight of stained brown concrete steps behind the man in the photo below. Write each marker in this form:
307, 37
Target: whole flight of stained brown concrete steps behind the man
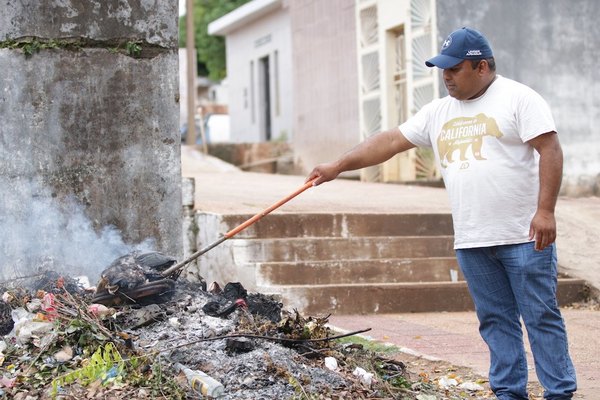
346, 263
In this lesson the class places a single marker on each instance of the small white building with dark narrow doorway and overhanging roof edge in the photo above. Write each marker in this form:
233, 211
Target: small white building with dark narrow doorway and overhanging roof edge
258, 42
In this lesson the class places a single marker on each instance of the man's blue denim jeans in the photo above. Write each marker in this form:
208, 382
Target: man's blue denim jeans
506, 283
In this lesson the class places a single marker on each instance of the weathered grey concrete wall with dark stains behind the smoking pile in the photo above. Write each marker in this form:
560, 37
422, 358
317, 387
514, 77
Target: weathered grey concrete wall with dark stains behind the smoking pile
89, 135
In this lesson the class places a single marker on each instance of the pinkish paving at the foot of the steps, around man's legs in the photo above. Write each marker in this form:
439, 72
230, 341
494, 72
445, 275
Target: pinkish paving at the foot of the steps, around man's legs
453, 337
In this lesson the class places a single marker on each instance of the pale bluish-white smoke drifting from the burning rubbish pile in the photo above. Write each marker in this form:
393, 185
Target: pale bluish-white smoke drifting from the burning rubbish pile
38, 231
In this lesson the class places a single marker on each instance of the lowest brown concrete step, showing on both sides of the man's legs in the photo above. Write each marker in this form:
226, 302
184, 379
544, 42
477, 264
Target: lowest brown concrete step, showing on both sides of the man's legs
390, 298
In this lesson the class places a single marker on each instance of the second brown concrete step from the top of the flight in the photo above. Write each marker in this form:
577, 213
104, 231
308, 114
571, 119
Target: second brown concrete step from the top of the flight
354, 248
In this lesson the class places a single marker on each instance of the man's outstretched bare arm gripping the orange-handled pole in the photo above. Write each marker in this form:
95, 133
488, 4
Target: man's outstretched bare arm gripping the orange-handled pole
375, 150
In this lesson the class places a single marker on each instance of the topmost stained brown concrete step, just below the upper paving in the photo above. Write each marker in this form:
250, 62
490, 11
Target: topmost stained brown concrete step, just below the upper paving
286, 225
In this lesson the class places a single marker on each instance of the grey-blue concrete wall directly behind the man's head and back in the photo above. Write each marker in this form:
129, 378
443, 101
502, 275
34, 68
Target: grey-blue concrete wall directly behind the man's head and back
551, 46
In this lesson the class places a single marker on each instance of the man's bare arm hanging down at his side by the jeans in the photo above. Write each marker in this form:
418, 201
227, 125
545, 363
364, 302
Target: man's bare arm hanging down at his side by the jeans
543, 224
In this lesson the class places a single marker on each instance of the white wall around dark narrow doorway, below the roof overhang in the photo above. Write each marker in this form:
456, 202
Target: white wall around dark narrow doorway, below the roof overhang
260, 38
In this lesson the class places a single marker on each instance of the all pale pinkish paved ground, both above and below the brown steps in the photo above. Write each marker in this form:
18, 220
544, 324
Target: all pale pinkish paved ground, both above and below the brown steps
452, 337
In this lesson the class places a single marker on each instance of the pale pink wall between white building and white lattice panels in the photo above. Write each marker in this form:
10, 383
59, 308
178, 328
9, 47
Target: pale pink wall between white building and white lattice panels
325, 80
